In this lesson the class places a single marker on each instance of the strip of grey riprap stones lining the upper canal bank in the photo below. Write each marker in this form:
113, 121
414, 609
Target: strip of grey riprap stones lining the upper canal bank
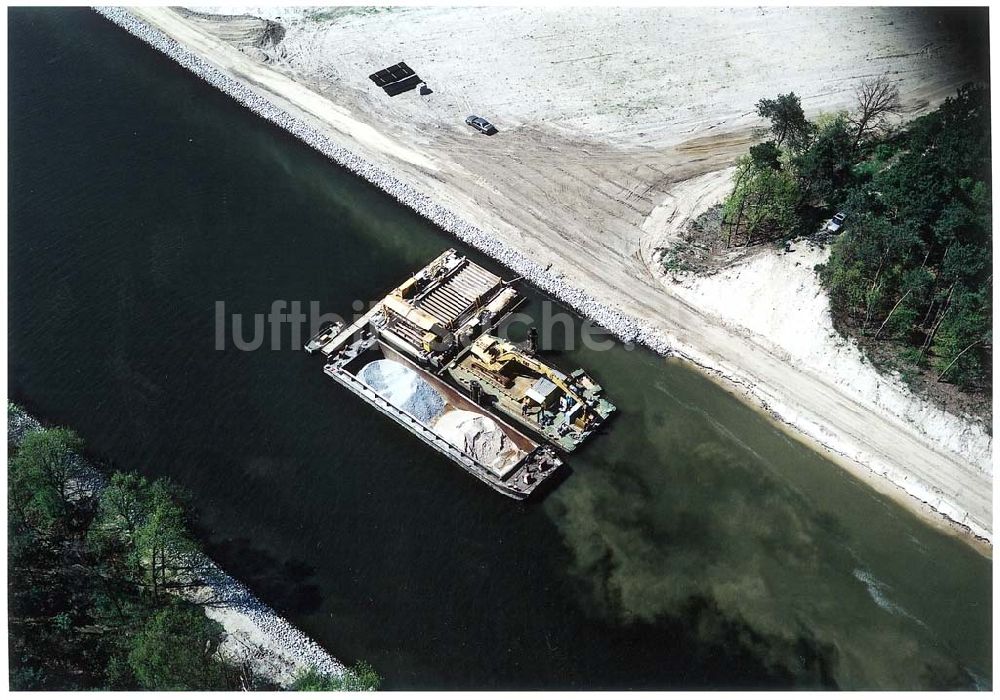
623, 326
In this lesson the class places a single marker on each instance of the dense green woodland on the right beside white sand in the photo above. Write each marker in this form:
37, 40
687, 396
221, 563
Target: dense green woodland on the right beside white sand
911, 271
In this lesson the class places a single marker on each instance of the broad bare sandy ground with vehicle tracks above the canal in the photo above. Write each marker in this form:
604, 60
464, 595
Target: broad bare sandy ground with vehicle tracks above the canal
605, 117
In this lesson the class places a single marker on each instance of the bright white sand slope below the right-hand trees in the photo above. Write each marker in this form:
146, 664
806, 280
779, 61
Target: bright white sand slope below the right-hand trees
776, 296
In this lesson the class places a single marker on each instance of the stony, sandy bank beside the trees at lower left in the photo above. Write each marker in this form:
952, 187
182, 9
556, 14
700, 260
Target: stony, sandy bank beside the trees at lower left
255, 633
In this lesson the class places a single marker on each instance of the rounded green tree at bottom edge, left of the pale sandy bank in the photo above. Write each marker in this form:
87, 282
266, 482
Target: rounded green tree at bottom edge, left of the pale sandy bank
178, 650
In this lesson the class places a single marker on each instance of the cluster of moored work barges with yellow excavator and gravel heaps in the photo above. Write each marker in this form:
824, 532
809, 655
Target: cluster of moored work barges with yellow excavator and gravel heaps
426, 356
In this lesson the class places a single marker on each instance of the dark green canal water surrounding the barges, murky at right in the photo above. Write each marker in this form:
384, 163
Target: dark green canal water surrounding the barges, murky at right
693, 545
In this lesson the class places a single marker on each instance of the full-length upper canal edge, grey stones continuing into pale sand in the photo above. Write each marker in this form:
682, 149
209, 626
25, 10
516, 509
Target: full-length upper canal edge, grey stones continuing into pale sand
623, 326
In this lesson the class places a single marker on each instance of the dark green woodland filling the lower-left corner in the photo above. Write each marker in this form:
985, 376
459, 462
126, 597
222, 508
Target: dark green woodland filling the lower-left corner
80, 620
